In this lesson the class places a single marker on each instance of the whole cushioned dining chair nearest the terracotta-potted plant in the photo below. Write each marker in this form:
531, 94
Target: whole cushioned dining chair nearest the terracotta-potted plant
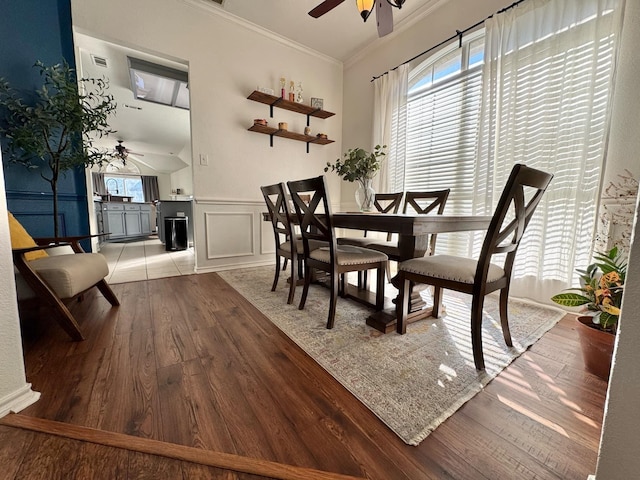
523, 192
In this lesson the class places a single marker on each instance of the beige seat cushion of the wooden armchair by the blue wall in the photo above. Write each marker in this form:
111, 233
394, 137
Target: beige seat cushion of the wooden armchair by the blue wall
69, 275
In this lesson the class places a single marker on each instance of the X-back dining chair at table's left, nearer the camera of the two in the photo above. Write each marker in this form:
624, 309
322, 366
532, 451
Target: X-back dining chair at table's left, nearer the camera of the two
316, 225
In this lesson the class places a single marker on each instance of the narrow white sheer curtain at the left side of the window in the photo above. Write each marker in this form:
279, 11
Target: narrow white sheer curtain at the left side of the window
390, 113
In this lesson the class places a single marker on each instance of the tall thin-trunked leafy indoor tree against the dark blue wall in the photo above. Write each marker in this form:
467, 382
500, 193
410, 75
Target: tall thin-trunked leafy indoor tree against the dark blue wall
55, 131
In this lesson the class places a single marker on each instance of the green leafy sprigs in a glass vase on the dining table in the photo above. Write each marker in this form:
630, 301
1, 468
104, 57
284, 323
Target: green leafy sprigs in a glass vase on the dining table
361, 166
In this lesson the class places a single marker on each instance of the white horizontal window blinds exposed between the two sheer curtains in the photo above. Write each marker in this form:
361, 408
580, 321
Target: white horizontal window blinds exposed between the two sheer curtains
441, 129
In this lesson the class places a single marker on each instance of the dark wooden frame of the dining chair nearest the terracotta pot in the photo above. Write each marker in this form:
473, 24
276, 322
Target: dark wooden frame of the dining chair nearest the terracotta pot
499, 239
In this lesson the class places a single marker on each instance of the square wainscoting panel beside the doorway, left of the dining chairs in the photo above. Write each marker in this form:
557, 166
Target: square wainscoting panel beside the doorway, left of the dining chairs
229, 234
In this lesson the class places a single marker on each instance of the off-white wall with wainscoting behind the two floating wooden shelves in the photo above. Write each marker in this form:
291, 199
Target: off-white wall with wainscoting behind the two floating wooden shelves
227, 60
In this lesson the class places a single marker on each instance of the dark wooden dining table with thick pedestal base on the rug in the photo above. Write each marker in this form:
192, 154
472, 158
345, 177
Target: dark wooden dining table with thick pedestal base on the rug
413, 232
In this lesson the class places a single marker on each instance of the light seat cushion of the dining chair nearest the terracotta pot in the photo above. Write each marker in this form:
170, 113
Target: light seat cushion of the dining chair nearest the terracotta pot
448, 267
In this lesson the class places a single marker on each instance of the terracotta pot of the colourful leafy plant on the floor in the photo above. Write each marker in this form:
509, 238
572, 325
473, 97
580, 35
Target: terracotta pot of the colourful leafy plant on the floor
597, 347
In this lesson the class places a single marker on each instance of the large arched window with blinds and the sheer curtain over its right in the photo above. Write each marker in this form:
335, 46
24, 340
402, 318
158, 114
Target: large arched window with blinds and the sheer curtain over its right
544, 102
